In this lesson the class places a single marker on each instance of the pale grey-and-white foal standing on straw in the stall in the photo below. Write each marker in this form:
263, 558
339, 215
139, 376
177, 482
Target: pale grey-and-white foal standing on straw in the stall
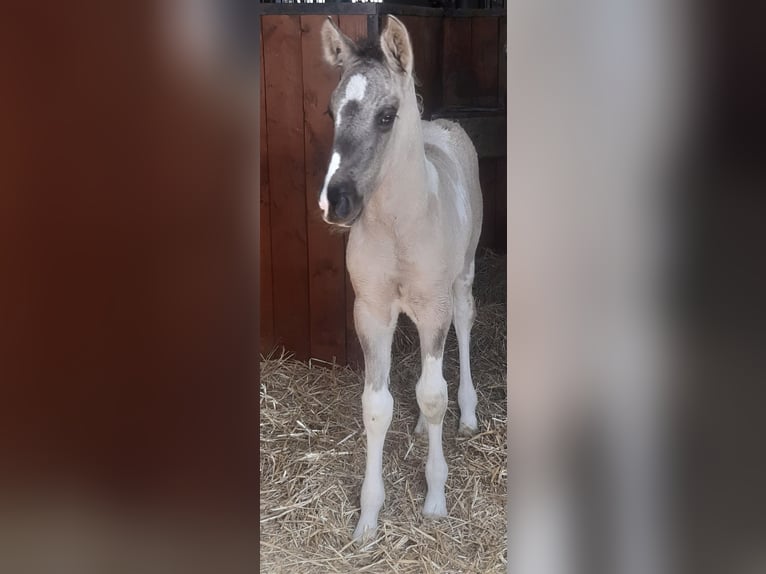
409, 192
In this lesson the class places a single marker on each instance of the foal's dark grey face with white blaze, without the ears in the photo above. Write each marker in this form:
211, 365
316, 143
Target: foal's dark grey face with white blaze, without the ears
364, 108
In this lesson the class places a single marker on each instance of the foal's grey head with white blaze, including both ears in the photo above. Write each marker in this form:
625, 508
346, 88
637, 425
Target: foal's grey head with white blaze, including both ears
375, 80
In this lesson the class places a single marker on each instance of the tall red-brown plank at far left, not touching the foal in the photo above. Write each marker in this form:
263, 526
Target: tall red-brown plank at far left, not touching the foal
284, 102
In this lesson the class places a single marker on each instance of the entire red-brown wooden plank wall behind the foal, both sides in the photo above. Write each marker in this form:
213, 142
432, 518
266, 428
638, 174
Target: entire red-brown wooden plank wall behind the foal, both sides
306, 297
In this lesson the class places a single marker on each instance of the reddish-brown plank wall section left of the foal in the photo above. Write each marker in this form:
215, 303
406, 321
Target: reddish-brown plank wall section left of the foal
303, 273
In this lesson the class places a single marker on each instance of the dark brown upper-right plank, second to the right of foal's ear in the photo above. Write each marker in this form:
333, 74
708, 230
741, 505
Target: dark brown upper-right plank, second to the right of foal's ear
457, 75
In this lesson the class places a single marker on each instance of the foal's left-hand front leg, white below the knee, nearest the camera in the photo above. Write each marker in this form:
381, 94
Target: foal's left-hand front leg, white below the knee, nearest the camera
375, 325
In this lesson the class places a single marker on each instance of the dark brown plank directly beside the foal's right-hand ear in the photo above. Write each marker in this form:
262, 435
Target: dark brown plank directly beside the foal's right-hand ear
425, 34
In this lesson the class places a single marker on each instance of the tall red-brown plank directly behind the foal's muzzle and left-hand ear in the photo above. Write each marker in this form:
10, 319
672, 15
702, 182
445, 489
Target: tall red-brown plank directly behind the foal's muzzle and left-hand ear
326, 251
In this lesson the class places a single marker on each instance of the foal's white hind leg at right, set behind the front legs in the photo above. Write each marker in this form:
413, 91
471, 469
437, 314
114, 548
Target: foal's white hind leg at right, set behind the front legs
463, 316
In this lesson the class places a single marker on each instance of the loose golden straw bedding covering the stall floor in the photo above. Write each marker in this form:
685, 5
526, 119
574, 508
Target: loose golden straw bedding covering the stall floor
313, 454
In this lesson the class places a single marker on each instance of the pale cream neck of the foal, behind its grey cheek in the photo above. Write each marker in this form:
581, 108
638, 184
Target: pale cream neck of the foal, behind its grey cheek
403, 188
